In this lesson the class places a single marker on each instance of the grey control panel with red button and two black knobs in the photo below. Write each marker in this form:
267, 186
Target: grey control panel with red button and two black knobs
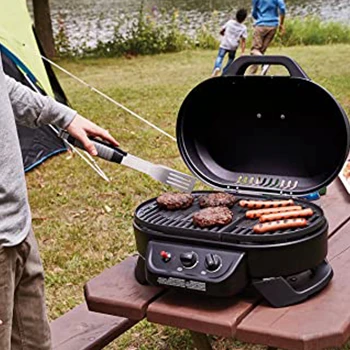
190, 267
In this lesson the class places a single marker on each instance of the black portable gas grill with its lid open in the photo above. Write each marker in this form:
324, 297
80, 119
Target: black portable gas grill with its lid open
257, 137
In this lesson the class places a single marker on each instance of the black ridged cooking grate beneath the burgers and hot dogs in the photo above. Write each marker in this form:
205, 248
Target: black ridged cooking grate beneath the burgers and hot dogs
179, 222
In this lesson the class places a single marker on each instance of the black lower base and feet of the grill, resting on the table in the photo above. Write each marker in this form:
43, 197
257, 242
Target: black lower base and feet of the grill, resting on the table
277, 291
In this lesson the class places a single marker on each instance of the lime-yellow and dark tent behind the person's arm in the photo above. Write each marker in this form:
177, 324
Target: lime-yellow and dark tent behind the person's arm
20, 52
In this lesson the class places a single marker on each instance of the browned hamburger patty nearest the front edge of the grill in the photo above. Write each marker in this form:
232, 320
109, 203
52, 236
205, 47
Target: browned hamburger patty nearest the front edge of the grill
213, 216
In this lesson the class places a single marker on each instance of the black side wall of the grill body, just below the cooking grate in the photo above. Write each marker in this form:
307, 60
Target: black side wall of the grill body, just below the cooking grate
273, 260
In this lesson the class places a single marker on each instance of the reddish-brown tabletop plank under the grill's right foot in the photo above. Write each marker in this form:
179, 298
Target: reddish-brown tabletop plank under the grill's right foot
321, 322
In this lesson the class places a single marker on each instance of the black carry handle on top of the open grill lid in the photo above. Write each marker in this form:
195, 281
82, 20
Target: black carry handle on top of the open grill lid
241, 64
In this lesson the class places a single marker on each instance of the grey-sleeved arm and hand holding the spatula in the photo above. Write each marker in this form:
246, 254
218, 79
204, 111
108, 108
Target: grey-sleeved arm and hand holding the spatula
32, 109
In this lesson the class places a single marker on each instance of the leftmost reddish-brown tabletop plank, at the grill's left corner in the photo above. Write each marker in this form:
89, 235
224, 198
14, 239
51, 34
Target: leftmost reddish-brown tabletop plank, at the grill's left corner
116, 292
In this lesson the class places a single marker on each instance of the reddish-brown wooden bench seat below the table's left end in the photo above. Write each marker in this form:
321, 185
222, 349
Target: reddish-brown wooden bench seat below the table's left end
81, 329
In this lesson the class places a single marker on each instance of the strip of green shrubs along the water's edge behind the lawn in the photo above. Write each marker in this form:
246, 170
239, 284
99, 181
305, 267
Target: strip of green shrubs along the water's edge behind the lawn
146, 35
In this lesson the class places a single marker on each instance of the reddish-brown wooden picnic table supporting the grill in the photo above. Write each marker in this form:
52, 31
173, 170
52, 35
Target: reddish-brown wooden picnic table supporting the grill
320, 322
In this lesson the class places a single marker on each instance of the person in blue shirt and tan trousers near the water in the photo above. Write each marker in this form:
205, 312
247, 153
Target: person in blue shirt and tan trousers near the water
268, 15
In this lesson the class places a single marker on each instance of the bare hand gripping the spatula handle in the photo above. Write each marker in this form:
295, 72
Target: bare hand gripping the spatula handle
81, 128
